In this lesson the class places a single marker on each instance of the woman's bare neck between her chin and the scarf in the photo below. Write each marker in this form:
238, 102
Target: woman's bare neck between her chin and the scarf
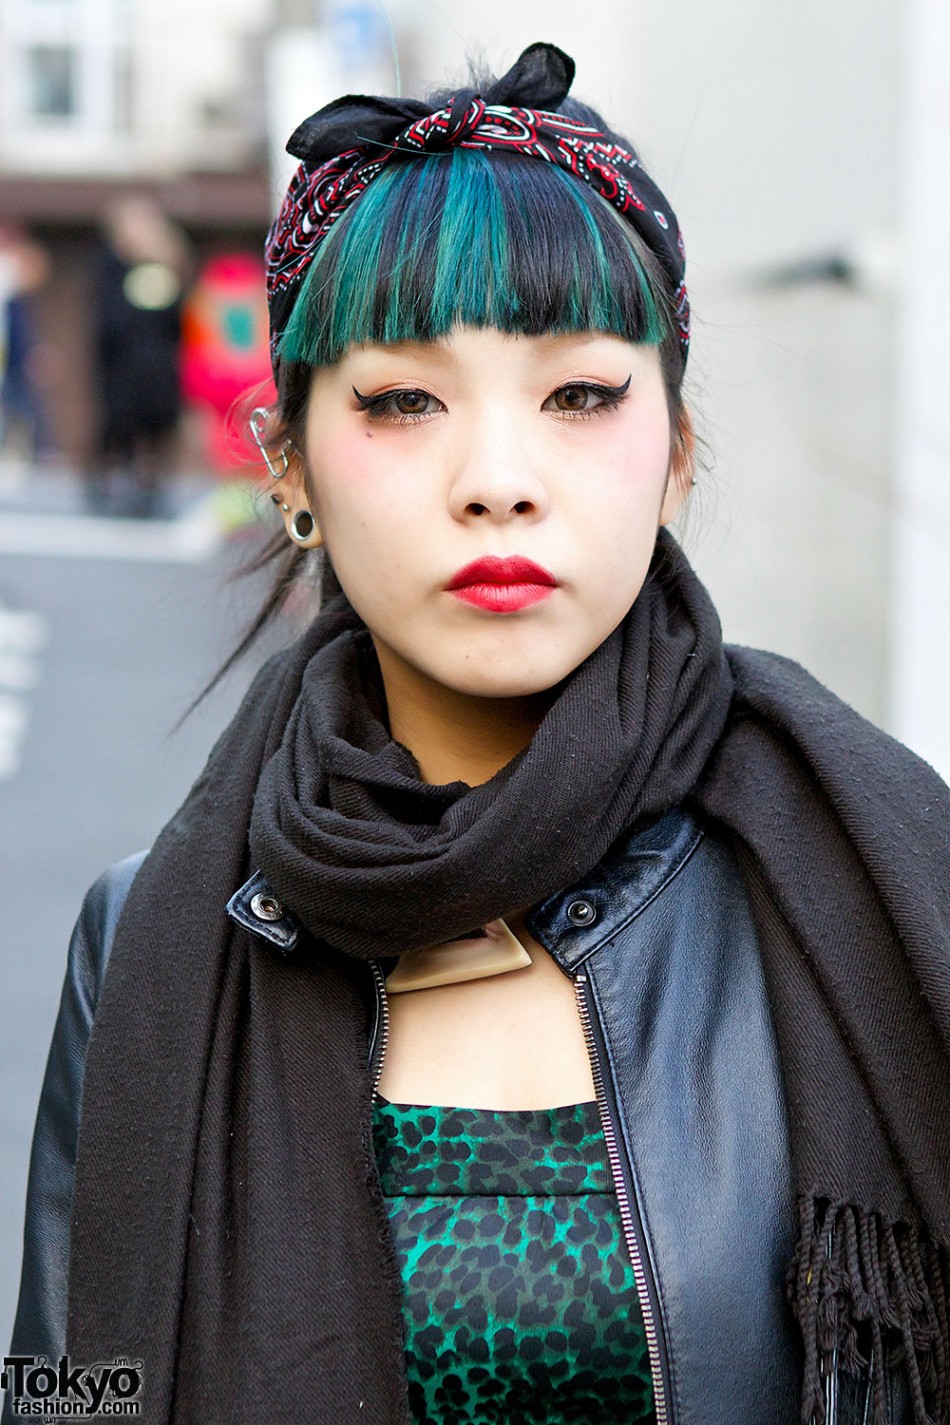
456, 736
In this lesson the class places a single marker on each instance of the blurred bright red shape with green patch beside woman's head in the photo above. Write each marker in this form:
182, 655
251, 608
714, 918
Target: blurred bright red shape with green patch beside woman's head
226, 354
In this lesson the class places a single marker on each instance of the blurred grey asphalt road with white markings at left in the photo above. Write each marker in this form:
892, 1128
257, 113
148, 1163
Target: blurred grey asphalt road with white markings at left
108, 632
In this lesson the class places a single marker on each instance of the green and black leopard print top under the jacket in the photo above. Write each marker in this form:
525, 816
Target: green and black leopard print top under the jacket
521, 1305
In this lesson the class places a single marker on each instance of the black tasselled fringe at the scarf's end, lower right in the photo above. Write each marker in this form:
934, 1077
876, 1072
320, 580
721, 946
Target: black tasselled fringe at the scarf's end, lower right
871, 1295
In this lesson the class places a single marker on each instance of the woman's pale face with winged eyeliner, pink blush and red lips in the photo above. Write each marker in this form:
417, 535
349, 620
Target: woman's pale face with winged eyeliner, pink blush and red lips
548, 457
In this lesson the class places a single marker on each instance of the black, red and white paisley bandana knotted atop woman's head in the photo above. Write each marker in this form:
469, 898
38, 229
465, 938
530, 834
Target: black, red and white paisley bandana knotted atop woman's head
348, 143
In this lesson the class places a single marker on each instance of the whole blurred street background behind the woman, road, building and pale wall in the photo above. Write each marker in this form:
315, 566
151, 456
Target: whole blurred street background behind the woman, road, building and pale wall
805, 150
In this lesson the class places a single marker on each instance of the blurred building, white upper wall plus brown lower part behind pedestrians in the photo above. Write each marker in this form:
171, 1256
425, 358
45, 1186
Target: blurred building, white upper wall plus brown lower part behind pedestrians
103, 99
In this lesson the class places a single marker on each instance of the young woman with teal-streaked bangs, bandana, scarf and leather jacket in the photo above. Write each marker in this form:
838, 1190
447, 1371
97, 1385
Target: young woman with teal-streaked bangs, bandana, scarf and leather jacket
538, 1012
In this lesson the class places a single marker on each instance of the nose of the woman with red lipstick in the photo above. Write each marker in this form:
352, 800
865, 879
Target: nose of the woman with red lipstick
496, 474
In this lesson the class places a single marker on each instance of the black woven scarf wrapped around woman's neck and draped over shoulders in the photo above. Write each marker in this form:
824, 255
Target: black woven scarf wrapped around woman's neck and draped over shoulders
230, 1230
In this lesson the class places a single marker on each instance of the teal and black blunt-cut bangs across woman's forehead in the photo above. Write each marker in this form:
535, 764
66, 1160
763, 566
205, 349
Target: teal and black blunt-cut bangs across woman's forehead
478, 240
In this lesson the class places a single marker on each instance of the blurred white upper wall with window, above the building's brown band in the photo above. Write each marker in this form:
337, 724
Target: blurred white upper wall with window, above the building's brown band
130, 89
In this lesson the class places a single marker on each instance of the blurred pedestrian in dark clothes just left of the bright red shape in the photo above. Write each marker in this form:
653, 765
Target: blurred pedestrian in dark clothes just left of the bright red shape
139, 287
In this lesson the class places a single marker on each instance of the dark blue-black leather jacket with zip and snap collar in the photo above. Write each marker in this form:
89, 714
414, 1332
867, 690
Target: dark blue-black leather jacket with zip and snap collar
663, 953
